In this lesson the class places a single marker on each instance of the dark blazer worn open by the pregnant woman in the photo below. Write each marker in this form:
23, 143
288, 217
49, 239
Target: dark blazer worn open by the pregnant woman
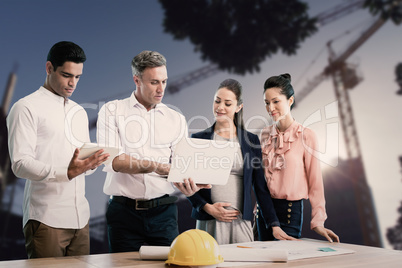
254, 178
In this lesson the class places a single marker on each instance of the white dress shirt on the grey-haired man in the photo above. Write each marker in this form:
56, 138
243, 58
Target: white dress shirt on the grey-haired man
142, 134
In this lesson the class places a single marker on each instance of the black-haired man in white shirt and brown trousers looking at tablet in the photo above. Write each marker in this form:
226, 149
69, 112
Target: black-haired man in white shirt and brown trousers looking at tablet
45, 130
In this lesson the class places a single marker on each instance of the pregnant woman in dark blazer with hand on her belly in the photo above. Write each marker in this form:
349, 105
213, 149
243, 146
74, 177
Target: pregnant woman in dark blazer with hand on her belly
226, 211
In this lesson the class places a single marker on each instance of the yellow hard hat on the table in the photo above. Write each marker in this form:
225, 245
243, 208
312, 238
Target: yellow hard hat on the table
194, 247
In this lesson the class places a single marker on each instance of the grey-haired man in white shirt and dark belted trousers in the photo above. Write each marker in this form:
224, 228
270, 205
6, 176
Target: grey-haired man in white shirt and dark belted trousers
140, 210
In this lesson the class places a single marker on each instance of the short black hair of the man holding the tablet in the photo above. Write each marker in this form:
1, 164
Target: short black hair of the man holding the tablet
65, 51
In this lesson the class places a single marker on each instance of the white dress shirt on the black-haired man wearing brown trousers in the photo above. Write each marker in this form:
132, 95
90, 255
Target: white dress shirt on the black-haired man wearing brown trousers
44, 129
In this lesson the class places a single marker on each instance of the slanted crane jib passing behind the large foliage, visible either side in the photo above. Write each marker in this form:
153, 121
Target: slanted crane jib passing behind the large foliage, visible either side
323, 18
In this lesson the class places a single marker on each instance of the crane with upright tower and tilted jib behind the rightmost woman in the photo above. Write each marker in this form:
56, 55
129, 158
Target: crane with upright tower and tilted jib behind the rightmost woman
344, 78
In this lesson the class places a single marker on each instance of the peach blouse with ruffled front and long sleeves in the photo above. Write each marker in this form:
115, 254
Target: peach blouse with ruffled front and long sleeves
292, 167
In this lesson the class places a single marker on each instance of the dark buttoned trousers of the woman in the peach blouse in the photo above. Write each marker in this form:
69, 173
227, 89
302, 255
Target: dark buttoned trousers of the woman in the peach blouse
290, 215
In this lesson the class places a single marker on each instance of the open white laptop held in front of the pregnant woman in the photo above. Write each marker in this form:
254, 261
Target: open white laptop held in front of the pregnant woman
204, 161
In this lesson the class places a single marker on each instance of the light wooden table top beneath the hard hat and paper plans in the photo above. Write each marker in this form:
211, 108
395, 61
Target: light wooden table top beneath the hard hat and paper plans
363, 257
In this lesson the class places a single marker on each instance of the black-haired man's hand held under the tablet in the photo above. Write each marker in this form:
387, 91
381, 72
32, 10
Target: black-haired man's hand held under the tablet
77, 166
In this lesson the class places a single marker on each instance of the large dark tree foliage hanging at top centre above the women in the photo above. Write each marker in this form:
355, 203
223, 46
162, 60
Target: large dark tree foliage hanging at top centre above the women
238, 35
